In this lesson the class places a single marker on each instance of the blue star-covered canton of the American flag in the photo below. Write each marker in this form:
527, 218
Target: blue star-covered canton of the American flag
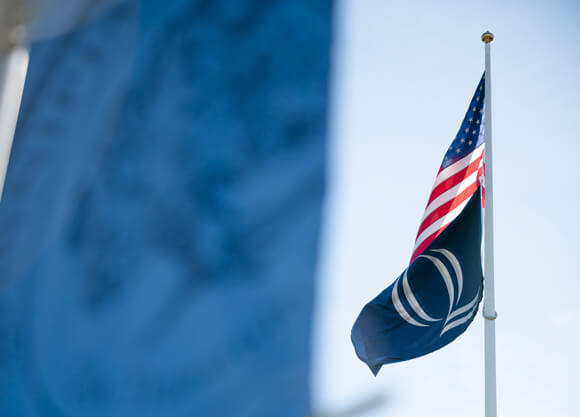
468, 138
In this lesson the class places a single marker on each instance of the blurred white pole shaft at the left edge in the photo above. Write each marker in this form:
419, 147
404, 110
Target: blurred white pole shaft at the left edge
12, 78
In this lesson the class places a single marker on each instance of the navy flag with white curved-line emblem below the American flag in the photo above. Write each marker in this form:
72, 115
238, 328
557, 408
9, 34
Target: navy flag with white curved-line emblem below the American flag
432, 302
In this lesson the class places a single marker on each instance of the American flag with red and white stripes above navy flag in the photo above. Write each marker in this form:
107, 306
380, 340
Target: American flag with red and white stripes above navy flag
458, 177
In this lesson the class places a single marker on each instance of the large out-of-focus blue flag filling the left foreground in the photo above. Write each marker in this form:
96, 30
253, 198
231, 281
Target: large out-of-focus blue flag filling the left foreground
162, 208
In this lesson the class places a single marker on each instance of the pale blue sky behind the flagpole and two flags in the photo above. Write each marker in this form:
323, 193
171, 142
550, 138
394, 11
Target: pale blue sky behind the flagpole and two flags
404, 73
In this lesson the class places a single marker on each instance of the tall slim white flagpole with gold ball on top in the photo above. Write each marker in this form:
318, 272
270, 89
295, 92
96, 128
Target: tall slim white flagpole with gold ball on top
489, 312
